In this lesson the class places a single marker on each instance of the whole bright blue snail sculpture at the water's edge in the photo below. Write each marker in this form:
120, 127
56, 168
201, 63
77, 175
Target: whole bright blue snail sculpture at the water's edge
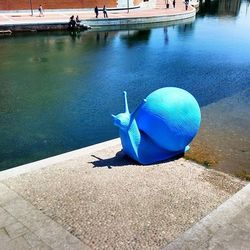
161, 127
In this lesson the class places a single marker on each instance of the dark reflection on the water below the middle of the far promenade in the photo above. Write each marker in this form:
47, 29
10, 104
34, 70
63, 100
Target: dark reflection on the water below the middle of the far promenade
133, 37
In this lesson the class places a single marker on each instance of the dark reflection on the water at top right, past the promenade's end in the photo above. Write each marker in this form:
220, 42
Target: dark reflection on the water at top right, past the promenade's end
219, 7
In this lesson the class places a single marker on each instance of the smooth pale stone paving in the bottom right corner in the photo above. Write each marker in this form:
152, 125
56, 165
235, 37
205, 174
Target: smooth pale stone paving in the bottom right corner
227, 227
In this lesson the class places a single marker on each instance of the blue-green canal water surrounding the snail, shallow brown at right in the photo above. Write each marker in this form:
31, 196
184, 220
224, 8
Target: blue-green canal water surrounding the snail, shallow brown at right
57, 90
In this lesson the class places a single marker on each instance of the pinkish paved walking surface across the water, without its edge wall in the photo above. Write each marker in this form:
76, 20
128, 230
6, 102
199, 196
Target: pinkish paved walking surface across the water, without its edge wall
63, 16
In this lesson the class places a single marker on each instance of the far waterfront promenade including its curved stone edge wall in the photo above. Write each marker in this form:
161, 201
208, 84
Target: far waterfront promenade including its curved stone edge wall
147, 14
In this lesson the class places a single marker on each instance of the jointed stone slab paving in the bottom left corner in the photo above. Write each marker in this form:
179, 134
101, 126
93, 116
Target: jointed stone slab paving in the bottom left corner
23, 227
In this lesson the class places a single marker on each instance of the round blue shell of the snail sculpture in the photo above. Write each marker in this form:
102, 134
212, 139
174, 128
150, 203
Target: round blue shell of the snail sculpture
170, 117
